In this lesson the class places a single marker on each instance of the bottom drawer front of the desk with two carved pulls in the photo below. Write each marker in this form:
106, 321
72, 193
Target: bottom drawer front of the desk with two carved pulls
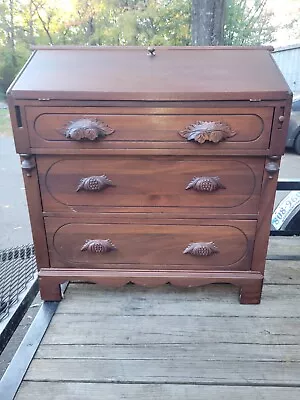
143, 245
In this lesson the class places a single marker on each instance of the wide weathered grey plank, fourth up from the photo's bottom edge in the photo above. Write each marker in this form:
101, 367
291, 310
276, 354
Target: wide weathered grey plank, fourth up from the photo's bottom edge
143, 329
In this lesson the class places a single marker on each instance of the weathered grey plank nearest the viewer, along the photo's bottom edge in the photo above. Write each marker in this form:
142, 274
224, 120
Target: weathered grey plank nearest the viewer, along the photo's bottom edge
96, 391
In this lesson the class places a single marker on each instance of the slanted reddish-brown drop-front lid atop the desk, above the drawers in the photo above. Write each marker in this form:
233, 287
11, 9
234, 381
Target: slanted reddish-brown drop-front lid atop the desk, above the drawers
172, 74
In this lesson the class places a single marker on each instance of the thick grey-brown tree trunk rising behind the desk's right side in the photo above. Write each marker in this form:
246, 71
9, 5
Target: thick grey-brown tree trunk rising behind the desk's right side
207, 22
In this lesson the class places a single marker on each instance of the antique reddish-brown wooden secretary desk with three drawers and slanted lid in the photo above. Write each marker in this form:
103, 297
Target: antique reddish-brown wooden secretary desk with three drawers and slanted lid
150, 165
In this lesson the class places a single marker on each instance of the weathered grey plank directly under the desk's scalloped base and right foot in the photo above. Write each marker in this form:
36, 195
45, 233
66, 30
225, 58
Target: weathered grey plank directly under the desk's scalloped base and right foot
212, 301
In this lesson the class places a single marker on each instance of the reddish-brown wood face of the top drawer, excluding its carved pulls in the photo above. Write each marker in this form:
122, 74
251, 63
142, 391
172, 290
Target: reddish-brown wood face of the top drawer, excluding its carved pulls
149, 125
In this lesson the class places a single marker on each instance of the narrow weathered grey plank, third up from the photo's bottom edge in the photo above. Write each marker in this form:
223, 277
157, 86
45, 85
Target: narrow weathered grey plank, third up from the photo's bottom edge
209, 352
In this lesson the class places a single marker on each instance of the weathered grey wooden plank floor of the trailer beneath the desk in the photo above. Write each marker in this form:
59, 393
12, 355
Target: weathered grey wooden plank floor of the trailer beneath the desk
135, 343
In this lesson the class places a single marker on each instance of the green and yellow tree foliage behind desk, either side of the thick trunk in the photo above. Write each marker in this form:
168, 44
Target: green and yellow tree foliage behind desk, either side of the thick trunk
114, 22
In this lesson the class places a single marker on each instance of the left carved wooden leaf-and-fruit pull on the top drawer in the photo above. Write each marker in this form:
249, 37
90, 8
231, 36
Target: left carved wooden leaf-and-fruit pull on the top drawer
87, 129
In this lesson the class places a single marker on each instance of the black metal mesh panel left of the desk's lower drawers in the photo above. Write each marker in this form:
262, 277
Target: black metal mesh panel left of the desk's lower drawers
17, 269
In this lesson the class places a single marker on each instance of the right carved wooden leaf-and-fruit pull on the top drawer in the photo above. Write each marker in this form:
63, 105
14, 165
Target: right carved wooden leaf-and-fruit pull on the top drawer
207, 131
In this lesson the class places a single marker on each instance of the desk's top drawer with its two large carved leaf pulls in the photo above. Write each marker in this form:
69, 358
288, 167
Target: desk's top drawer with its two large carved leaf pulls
215, 128
